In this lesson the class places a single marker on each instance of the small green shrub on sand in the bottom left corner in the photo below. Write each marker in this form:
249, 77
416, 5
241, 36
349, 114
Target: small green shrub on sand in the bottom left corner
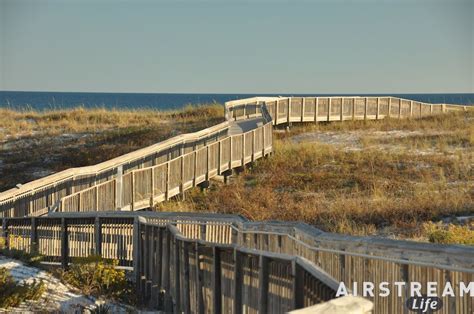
13, 293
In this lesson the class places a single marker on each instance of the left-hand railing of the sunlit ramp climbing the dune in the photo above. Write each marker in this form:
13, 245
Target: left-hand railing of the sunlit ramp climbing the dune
38, 197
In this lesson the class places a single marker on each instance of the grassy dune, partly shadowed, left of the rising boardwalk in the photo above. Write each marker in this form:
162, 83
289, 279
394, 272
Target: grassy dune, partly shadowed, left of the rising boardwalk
34, 144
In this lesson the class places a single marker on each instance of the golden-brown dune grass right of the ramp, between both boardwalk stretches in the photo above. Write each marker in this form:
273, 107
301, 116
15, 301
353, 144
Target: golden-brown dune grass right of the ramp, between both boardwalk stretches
389, 178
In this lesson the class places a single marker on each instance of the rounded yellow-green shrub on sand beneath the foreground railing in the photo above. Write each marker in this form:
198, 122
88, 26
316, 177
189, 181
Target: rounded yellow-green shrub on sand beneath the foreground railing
99, 277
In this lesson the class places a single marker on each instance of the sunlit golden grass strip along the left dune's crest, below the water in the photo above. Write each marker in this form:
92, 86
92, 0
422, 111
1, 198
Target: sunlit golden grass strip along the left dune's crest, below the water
79, 119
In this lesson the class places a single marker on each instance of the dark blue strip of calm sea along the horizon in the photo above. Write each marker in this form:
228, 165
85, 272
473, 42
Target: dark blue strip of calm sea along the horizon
51, 100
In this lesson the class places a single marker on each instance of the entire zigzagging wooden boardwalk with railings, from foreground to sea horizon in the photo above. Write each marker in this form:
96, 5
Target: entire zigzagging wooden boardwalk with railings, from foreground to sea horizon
222, 263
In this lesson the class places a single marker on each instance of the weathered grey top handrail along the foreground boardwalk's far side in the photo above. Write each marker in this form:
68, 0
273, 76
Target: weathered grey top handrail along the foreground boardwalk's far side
460, 257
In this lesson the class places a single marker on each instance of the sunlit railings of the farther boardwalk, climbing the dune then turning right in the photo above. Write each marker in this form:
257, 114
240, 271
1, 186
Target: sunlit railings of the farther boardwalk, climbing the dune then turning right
158, 172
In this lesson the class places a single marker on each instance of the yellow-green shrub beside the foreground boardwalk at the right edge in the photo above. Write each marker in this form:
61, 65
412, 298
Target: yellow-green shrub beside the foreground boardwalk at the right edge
450, 234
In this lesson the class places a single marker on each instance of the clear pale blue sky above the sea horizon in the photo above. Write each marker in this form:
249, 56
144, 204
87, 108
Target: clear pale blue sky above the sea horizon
238, 46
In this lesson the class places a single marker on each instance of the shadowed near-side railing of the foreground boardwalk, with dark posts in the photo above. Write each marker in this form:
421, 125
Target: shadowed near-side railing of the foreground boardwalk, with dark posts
194, 259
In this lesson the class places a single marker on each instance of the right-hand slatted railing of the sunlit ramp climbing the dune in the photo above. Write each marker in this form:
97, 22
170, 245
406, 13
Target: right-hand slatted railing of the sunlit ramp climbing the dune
141, 188
